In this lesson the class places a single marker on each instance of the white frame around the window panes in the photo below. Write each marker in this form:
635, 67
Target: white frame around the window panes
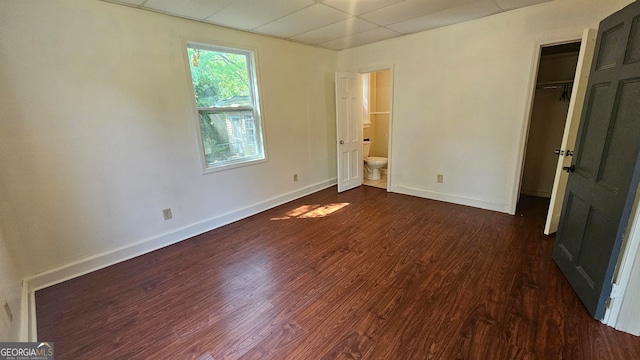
254, 107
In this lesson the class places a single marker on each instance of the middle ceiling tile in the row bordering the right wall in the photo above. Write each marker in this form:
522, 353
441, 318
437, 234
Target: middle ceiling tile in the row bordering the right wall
456, 15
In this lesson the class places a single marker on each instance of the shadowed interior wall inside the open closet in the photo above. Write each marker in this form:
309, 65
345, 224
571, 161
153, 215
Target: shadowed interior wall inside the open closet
548, 119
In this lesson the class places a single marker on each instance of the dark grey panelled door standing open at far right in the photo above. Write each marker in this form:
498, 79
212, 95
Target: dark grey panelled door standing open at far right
605, 170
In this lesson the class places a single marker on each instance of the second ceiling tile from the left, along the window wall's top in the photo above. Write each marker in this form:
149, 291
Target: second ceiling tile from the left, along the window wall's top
195, 9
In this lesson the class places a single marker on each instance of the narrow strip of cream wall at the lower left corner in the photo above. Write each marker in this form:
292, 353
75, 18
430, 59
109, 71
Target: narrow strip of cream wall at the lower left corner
10, 293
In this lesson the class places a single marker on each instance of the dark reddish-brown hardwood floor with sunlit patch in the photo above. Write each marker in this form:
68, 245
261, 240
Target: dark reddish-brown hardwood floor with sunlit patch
361, 275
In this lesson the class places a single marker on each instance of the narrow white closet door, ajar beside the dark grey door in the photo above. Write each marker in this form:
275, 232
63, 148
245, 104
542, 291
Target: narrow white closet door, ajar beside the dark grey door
571, 129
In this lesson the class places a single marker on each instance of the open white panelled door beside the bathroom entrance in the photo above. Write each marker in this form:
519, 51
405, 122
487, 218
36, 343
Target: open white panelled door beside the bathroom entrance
349, 130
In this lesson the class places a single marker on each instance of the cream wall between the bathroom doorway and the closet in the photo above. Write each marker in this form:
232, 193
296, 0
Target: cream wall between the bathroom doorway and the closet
461, 96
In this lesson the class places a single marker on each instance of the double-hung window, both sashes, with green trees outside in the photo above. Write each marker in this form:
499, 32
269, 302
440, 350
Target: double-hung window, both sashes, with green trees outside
226, 97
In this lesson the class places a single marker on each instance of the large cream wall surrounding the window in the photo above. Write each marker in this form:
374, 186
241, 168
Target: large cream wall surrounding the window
97, 131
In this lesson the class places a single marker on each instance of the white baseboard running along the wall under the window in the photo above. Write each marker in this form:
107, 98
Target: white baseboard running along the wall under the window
54, 276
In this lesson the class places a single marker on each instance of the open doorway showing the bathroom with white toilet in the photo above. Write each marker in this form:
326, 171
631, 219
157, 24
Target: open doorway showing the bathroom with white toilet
376, 127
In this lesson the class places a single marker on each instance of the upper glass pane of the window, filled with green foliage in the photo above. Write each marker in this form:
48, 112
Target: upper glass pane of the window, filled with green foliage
220, 79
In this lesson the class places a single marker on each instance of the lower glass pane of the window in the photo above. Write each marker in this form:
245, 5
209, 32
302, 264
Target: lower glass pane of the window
229, 136
